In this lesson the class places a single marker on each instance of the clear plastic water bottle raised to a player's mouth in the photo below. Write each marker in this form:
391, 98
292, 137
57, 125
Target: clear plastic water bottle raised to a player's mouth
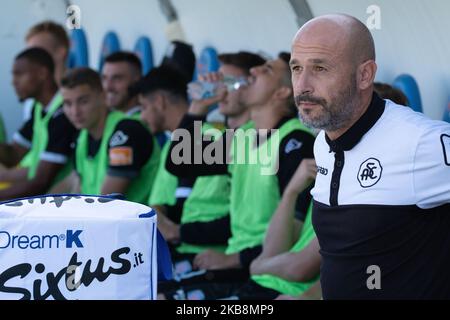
199, 90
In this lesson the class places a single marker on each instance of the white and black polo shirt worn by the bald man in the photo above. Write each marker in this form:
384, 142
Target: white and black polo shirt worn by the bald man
382, 206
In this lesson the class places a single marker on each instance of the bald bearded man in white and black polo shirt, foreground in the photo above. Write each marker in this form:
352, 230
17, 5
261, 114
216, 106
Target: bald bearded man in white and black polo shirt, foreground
382, 192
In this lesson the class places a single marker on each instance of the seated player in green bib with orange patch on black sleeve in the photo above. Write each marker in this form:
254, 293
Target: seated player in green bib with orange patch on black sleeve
113, 153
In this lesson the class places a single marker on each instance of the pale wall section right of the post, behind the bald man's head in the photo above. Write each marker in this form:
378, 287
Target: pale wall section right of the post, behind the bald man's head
414, 38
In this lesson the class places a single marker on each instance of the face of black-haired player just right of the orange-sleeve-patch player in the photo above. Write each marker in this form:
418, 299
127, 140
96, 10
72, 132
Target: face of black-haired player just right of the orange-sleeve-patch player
152, 112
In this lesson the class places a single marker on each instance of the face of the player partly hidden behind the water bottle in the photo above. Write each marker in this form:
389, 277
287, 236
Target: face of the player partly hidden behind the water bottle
232, 105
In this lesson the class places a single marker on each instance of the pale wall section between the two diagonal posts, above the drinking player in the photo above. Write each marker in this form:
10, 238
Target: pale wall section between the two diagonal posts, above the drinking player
231, 25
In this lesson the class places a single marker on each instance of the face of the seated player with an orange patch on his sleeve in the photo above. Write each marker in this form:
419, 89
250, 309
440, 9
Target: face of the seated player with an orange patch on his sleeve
83, 106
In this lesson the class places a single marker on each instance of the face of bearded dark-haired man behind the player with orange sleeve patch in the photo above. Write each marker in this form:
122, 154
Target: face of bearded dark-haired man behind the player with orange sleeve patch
117, 77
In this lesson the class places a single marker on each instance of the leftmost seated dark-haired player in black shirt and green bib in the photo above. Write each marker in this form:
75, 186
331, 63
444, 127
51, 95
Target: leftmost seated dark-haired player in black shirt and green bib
40, 152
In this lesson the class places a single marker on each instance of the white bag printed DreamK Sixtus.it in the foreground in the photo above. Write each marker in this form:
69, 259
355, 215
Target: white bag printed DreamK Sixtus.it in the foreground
77, 247
